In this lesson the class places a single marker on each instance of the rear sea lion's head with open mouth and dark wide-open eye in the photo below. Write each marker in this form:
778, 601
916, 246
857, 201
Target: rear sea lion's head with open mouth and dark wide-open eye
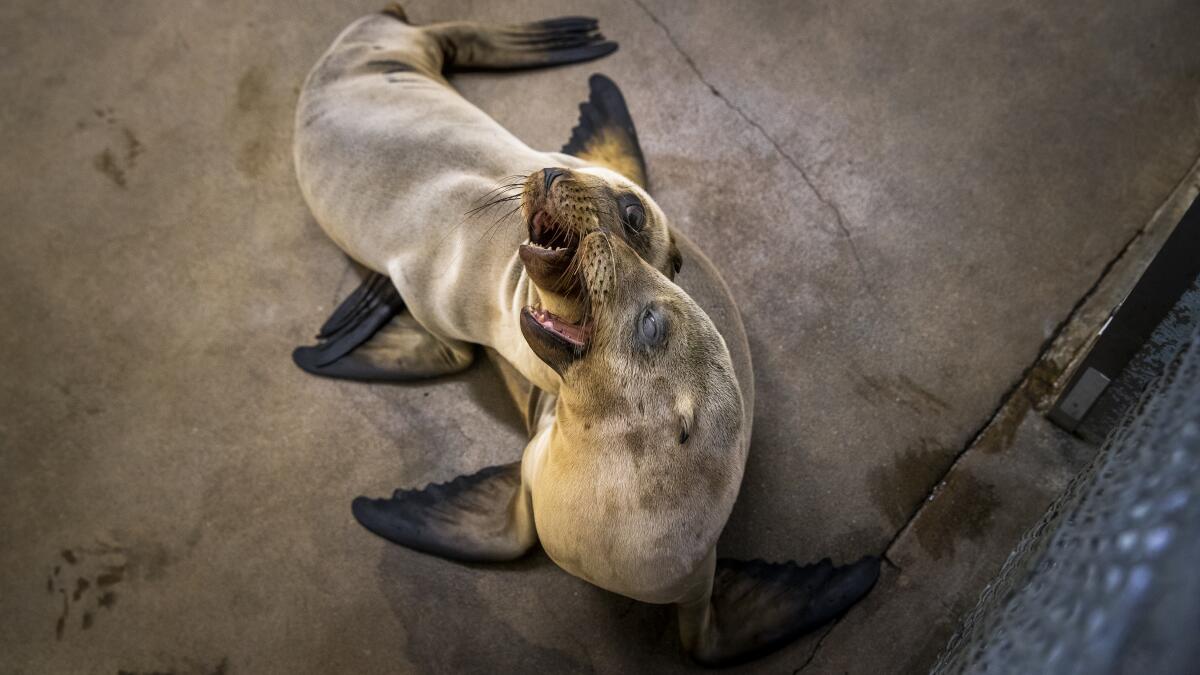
561, 207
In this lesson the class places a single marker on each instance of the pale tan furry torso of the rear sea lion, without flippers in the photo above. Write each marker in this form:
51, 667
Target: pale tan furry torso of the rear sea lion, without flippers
391, 164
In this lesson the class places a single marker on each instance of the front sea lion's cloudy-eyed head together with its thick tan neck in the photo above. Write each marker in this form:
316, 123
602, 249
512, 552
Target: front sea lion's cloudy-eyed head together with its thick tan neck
647, 440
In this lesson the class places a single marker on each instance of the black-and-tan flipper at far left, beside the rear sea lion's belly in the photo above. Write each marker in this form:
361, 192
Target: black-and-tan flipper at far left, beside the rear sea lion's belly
371, 338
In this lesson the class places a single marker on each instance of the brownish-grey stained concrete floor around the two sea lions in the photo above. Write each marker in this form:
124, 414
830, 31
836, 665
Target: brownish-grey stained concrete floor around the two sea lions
909, 199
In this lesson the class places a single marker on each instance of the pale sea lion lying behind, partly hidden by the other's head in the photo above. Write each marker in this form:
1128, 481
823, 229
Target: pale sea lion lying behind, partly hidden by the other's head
391, 159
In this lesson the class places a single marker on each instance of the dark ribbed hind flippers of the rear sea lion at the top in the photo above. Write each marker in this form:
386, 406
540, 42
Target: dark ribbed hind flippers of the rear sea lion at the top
471, 46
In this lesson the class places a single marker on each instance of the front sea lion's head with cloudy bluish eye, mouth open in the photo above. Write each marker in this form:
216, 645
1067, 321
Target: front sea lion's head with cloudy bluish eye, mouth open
643, 350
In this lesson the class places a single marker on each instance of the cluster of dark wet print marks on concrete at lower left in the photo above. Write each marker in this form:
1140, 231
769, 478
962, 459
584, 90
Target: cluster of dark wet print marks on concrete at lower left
87, 580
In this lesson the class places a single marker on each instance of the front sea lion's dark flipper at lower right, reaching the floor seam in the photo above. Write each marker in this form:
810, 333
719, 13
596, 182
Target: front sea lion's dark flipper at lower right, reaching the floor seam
759, 607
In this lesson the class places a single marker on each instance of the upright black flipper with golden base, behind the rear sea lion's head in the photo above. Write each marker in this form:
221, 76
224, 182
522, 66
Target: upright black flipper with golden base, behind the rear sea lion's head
605, 134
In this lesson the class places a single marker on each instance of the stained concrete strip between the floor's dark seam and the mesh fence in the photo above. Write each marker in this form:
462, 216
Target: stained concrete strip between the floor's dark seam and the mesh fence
1040, 463
